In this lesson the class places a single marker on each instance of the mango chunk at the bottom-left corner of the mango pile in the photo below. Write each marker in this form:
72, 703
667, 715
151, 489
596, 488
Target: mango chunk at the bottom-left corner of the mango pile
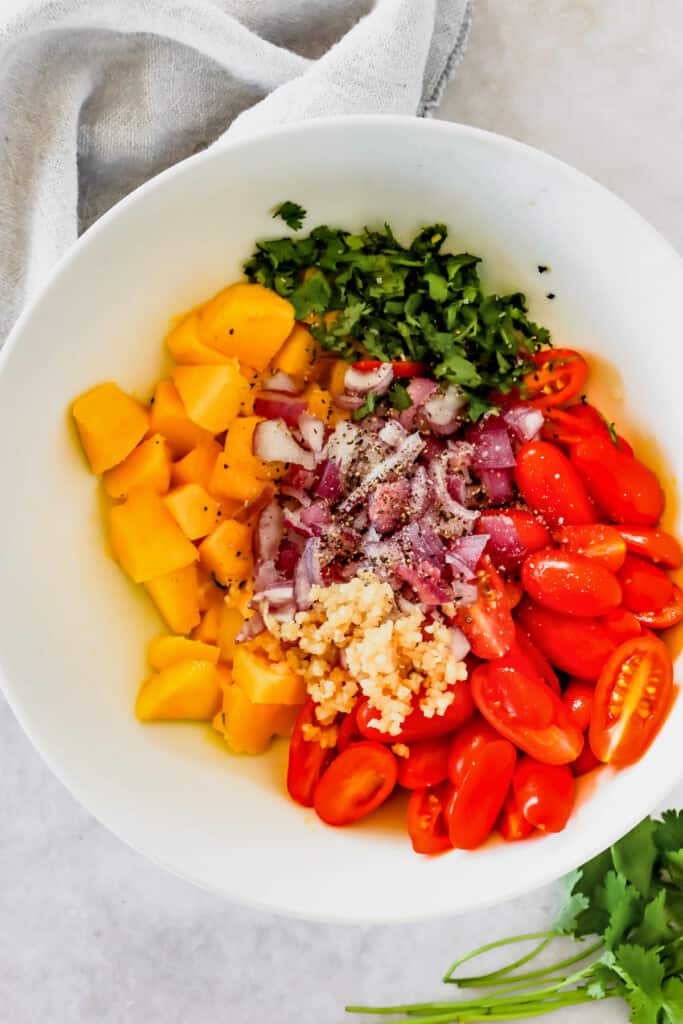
185, 691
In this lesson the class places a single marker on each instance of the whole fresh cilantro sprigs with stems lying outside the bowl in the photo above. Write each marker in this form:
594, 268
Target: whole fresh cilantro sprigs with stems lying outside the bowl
631, 898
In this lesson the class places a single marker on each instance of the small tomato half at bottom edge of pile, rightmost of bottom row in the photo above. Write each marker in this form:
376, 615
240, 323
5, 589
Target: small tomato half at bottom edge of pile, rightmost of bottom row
544, 794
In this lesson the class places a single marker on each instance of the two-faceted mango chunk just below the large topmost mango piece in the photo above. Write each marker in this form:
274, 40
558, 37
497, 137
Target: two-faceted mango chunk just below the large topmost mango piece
211, 396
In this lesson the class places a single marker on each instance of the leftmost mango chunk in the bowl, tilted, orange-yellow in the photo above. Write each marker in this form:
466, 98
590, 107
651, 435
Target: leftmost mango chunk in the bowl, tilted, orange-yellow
110, 425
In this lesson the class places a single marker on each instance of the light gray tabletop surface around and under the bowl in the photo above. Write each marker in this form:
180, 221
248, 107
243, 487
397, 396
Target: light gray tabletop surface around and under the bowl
93, 934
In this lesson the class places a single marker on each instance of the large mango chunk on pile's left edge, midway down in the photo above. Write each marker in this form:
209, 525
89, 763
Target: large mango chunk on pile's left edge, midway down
146, 538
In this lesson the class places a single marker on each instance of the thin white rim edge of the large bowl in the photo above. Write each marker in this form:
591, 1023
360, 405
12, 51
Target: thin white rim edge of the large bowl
513, 888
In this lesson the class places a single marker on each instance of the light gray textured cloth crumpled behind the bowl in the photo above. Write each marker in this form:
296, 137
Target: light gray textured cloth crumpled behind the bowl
99, 96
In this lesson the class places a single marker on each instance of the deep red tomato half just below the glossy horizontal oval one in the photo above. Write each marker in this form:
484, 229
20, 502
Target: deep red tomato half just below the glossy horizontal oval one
580, 647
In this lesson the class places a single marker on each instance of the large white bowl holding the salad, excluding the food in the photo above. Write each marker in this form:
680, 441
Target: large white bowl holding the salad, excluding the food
73, 631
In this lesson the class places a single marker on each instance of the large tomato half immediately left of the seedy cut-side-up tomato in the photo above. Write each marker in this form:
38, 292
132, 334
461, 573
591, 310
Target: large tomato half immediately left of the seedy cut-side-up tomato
528, 713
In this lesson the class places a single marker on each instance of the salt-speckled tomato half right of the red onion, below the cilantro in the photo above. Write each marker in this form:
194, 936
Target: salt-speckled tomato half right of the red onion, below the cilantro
551, 486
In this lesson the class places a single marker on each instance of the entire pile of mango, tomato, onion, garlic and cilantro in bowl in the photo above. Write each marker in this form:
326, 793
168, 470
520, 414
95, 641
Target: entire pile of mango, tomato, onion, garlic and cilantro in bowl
377, 513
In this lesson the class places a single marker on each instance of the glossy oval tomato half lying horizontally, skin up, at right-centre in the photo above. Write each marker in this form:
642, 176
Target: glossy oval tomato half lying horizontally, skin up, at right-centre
572, 584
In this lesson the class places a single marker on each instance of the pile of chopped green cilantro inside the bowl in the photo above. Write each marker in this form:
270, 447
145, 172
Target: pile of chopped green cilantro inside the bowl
416, 303
